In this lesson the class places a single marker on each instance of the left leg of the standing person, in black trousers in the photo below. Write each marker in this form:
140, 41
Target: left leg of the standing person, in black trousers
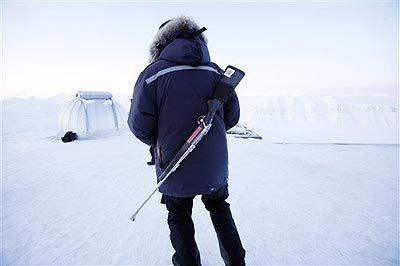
182, 231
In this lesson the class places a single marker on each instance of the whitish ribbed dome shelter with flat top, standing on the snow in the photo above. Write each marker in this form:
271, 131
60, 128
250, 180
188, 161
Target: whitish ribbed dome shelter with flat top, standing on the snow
91, 112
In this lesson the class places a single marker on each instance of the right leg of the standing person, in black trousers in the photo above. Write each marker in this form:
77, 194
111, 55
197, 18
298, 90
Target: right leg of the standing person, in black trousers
230, 245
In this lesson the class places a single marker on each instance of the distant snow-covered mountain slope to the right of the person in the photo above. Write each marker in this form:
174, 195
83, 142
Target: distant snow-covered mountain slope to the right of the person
324, 111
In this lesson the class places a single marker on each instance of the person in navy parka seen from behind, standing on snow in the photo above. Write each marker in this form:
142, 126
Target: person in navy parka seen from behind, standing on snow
169, 96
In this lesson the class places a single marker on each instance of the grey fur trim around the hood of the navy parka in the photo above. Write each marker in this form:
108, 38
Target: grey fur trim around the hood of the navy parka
164, 34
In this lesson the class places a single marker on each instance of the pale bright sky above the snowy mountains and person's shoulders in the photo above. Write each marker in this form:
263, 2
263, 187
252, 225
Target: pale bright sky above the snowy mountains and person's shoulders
311, 48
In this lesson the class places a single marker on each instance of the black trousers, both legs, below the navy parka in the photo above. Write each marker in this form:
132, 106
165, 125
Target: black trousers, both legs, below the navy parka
182, 229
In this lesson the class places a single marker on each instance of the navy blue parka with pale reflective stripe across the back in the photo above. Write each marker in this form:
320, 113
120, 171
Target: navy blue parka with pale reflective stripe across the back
169, 96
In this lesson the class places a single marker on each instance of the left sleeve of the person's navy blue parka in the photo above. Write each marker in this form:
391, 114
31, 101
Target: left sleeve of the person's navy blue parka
143, 113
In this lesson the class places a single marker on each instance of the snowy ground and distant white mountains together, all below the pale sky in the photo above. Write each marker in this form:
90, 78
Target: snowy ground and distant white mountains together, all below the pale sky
297, 203
